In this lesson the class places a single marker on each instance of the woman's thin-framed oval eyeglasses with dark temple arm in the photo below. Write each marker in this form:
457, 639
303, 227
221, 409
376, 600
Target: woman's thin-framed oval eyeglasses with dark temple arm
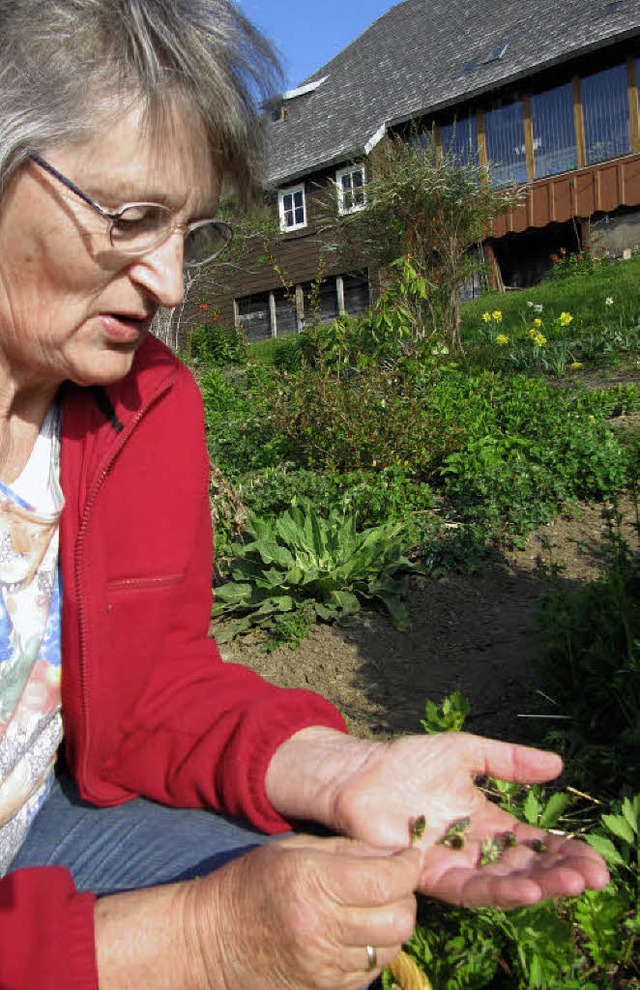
138, 228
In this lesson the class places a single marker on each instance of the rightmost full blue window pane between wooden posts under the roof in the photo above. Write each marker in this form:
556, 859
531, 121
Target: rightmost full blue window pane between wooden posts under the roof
605, 107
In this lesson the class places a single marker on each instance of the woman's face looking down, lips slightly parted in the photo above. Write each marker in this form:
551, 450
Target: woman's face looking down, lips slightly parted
70, 306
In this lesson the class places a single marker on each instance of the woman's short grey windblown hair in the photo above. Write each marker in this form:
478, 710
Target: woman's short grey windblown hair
65, 64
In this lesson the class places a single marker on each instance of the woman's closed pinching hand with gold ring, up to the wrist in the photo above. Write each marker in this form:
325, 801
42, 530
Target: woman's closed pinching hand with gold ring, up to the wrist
299, 913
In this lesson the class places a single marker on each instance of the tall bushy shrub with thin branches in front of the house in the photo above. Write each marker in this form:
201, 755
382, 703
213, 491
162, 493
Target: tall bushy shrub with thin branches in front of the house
427, 205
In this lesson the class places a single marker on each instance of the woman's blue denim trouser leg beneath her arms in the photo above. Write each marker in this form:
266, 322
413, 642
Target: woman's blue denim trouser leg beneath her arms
133, 845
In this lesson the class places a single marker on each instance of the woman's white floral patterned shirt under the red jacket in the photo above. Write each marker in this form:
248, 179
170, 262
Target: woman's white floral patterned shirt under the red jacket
30, 611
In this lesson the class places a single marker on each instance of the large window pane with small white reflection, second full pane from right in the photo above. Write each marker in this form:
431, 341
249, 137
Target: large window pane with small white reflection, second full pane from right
554, 143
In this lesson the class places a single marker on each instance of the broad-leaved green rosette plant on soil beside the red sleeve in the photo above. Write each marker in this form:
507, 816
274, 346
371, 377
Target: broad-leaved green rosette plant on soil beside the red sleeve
301, 559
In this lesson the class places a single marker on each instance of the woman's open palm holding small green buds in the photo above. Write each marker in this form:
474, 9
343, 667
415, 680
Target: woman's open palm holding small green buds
376, 791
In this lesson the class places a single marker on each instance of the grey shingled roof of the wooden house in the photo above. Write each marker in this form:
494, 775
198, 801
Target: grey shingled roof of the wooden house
424, 55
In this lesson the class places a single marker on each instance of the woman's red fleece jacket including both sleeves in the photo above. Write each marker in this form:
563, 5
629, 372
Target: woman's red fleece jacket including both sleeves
148, 706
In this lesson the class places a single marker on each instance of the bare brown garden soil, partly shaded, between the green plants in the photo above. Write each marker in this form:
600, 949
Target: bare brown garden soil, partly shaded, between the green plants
472, 632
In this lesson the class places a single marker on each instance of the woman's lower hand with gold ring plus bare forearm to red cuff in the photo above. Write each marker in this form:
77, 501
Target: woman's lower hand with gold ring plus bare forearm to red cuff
295, 914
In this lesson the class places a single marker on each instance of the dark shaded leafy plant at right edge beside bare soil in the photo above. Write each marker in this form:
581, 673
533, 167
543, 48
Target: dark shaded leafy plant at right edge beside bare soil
591, 666
